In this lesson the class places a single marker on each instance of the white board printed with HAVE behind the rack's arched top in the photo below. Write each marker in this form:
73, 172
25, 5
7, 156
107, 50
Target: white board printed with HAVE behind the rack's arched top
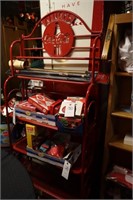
84, 8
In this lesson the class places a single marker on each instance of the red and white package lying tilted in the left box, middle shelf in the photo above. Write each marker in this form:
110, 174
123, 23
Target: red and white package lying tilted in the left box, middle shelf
41, 102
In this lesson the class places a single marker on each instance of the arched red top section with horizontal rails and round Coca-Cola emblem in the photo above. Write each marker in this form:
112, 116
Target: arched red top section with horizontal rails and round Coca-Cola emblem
60, 40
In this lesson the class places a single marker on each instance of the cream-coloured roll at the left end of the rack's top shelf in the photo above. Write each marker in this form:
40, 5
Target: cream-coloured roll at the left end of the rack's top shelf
19, 64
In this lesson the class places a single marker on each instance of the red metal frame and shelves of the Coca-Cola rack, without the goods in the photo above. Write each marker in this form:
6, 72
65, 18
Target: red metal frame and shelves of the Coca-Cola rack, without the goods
62, 85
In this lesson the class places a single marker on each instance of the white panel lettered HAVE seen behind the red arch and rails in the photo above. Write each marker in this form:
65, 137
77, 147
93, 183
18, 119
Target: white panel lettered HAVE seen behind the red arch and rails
83, 8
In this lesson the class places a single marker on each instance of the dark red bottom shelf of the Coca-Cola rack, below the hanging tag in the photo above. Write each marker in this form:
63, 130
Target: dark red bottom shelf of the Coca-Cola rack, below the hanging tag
52, 183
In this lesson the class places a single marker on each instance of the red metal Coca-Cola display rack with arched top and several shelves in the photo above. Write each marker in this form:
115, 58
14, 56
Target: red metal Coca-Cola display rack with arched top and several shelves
66, 45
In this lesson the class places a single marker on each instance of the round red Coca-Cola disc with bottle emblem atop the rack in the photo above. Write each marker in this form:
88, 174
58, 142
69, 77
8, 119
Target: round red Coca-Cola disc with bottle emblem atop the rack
58, 39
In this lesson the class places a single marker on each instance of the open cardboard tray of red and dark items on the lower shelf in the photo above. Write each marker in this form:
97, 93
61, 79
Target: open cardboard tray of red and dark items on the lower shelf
55, 150
